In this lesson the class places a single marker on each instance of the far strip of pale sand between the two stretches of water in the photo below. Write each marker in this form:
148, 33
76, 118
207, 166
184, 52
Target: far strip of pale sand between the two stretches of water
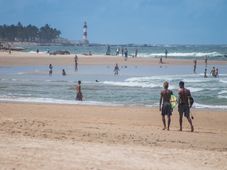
23, 58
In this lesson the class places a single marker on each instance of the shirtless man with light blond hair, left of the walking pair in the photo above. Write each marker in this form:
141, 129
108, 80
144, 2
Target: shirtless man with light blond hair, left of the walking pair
165, 105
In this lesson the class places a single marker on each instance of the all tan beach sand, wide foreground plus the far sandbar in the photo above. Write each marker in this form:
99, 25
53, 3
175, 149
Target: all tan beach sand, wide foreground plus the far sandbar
61, 136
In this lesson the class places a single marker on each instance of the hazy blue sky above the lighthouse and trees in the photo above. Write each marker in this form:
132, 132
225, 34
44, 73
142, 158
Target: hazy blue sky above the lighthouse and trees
125, 21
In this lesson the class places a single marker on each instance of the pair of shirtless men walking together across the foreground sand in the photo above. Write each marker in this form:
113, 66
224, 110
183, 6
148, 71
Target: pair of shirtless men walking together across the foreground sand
184, 105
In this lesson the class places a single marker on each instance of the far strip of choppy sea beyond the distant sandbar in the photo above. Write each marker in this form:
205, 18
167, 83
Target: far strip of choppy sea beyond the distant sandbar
217, 52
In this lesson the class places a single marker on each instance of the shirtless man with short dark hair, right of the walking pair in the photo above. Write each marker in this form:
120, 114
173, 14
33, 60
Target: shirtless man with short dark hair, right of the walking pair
184, 105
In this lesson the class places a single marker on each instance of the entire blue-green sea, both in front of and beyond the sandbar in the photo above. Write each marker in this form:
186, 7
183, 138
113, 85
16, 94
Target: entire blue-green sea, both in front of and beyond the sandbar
134, 86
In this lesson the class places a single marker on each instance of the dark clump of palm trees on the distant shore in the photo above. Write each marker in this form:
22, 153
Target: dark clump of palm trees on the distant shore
29, 33
